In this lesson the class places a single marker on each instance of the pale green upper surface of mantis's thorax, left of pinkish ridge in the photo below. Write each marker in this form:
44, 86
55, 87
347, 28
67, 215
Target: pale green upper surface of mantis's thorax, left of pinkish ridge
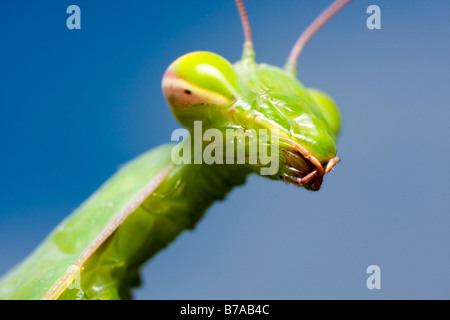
44, 267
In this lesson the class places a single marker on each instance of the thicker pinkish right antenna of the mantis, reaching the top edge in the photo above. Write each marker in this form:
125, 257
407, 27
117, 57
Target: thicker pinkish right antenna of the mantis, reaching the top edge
323, 18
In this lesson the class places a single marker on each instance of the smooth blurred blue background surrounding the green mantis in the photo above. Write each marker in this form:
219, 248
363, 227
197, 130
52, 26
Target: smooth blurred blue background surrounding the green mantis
77, 104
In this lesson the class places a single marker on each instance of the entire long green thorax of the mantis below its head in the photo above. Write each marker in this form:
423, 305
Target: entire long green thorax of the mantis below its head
177, 204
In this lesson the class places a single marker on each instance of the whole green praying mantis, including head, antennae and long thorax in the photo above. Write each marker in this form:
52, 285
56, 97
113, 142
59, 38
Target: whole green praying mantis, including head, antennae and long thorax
97, 252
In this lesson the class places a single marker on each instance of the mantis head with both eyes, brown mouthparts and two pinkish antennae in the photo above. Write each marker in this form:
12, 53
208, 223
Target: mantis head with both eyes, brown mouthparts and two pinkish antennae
303, 123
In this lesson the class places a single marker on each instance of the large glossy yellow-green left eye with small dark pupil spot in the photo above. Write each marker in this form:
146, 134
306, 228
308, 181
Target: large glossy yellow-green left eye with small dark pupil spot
198, 82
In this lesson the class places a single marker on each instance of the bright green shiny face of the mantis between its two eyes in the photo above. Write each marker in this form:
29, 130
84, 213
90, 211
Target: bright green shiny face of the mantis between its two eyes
277, 99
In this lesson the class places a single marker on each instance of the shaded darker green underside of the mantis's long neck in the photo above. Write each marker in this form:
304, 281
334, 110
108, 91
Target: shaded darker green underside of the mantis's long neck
176, 205
